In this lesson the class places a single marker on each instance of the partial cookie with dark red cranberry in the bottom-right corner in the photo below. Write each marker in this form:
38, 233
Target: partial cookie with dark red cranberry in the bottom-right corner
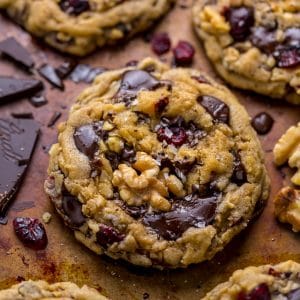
264, 282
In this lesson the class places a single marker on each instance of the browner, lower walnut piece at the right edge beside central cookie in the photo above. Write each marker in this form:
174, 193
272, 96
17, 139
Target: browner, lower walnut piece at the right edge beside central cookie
287, 207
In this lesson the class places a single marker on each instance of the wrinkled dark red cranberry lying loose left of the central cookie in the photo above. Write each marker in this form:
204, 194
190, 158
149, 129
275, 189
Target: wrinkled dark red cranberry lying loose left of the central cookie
31, 232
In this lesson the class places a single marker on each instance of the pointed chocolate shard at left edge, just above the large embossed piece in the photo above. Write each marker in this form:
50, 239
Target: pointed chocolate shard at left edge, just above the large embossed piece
12, 88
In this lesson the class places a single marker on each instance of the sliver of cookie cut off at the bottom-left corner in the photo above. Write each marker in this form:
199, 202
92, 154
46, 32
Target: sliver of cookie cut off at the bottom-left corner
39, 290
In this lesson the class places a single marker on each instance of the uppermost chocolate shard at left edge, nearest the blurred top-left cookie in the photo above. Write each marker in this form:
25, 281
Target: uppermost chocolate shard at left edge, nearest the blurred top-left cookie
15, 51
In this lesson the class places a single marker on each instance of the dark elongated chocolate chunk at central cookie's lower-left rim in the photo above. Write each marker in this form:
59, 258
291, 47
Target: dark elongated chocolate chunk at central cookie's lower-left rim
72, 208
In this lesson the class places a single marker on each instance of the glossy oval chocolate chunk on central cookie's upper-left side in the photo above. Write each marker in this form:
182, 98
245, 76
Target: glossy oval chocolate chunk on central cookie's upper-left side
86, 140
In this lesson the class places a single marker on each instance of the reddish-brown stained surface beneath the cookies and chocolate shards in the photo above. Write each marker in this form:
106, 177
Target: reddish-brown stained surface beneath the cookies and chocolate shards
265, 241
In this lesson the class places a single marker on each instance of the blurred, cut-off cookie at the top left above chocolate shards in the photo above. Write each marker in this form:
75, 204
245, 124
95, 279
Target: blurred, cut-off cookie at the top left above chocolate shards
78, 27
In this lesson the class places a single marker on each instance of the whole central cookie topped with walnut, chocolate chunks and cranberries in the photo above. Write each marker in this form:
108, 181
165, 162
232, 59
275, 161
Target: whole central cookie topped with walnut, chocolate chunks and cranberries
157, 166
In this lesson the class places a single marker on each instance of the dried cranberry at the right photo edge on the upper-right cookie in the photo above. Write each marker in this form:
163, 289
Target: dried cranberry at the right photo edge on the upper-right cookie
287, 57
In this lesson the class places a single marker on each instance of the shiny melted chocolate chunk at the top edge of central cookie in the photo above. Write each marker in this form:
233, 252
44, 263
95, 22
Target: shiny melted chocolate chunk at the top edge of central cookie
134, 81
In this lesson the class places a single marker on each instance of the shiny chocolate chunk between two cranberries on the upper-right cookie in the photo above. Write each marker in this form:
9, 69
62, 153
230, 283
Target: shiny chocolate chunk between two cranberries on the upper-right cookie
264, 39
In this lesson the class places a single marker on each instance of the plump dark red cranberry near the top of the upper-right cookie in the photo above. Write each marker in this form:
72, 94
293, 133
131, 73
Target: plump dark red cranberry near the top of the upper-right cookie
241, 19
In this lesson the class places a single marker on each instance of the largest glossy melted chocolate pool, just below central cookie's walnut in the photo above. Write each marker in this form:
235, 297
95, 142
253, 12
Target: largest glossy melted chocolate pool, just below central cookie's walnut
195, 212
